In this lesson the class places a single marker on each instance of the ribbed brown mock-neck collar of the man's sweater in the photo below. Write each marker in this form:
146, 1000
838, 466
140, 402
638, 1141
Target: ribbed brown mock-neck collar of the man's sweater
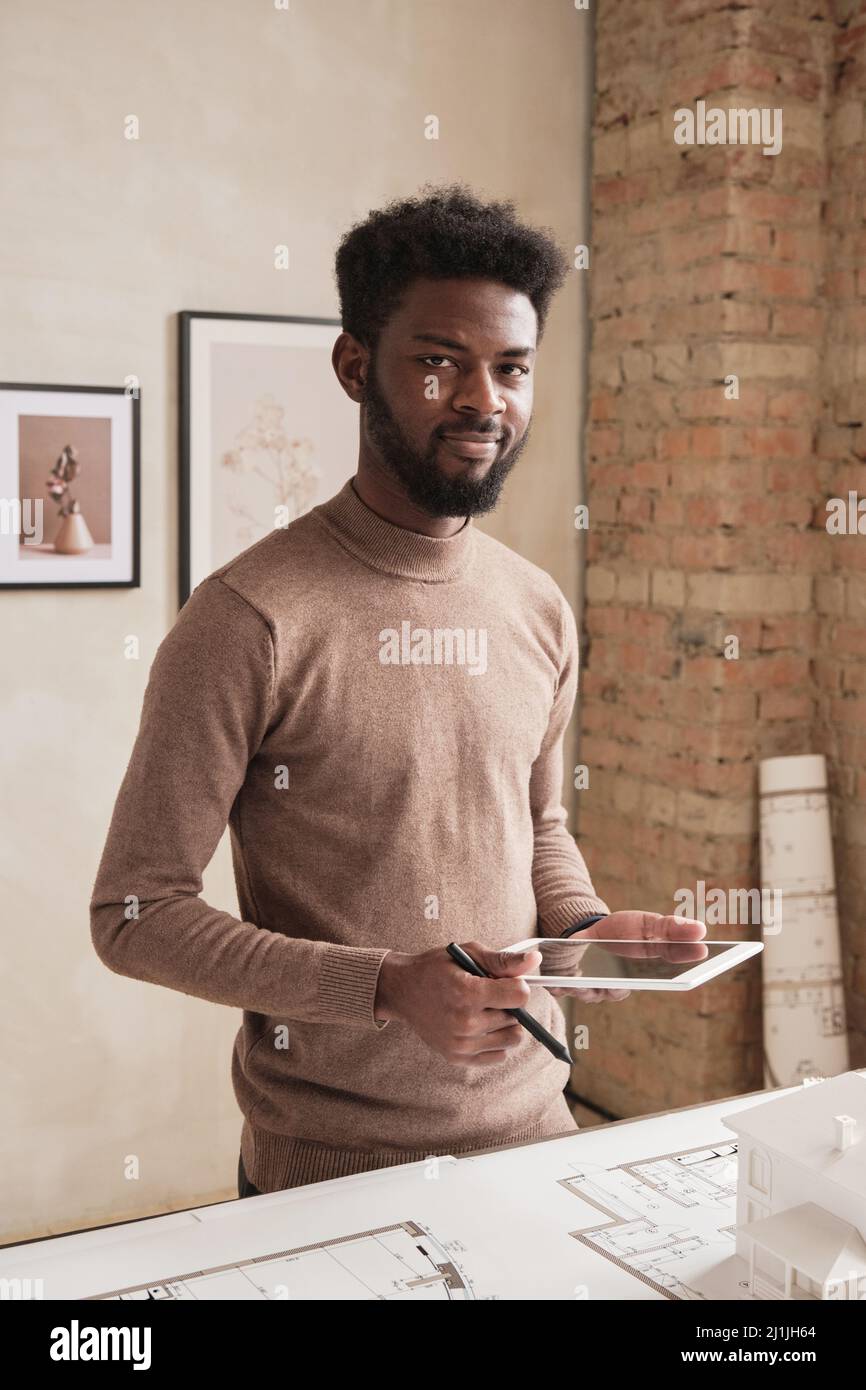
393, 548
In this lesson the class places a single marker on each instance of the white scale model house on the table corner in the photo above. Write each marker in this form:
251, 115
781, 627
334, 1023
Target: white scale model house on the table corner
801, 1191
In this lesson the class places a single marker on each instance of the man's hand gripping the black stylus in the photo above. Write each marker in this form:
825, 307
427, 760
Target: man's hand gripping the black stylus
459, 1015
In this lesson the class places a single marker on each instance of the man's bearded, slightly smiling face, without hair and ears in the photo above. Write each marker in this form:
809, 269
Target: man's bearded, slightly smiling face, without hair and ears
455, 359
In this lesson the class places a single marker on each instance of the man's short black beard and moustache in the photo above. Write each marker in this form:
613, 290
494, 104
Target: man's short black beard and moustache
425, 483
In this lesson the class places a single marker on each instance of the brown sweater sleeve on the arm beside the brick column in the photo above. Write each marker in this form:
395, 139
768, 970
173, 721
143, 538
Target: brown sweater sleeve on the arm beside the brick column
561, 879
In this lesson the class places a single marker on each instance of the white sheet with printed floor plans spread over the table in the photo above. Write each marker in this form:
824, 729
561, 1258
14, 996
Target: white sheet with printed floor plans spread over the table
643, 1210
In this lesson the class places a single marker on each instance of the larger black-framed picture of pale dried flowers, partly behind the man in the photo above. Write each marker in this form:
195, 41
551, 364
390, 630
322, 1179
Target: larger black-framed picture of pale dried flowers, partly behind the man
266, 432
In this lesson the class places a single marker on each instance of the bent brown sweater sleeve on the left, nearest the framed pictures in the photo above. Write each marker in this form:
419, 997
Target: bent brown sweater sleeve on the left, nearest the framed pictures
206, 710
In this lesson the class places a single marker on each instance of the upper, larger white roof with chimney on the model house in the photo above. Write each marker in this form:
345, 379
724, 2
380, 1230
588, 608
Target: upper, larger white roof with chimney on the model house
804, 1128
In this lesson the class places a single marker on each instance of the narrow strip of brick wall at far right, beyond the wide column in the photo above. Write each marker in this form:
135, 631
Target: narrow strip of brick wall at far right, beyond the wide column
840, 665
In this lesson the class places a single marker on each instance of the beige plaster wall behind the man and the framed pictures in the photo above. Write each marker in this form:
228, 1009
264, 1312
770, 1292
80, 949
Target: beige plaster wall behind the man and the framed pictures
258, 127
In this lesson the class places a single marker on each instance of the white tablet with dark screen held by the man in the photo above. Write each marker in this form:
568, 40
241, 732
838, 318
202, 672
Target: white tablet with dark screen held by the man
650, 964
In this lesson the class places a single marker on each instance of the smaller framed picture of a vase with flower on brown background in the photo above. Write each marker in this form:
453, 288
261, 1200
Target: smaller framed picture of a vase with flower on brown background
70, 487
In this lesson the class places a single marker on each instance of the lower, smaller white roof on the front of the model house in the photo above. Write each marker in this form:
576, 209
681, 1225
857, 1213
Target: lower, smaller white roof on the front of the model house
817, 1243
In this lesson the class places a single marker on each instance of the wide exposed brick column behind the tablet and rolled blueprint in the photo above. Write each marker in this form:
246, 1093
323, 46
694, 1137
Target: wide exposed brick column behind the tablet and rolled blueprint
707, 516
